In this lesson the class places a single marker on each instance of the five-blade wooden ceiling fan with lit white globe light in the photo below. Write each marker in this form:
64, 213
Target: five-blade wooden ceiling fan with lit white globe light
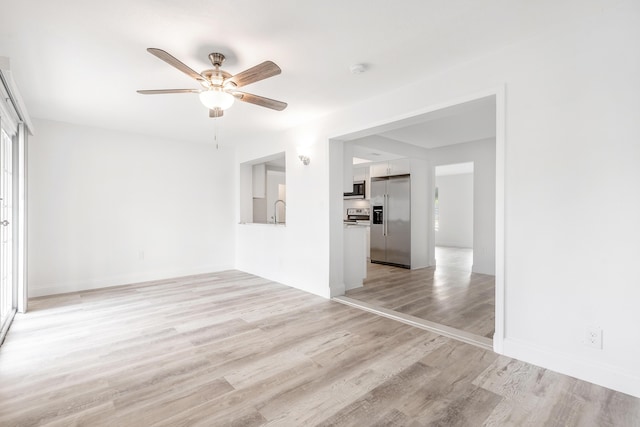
219, 87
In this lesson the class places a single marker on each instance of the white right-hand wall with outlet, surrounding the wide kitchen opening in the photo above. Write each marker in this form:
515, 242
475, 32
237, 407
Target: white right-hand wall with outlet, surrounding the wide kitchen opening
571, 199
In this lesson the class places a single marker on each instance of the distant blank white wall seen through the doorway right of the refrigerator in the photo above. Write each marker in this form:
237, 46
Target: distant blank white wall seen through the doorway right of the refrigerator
455, 207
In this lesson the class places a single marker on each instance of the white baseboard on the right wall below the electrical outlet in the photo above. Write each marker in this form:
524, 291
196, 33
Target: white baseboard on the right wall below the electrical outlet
597, 373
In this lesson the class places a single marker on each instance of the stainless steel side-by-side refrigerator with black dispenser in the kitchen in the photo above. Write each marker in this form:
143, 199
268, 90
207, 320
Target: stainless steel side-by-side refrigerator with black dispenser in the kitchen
391, 220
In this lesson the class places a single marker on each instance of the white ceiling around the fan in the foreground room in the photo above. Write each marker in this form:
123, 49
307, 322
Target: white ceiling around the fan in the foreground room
81, 61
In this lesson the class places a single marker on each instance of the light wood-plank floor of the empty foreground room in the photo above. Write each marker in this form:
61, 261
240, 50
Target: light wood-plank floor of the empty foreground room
234, 349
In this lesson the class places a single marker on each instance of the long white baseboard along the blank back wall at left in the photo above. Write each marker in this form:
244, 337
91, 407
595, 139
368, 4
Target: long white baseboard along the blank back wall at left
39, 290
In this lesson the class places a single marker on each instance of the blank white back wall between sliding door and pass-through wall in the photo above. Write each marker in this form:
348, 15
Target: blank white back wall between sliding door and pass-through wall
110, 208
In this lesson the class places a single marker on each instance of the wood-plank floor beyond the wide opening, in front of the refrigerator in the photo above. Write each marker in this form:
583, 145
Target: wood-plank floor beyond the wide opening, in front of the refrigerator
449, 295
